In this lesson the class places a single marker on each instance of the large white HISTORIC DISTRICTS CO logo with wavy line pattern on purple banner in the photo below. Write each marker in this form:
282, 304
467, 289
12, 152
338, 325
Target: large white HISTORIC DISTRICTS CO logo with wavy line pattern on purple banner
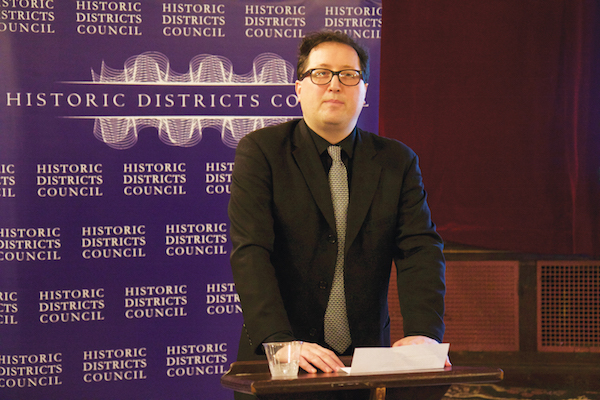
148, 93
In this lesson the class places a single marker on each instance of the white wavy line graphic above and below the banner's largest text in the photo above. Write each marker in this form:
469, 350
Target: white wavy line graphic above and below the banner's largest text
205, 70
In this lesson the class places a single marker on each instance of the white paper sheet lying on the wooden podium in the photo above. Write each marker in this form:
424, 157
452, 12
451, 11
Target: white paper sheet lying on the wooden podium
380, 360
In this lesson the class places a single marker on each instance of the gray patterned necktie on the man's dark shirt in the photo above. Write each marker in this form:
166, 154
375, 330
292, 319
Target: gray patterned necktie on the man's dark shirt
337, 331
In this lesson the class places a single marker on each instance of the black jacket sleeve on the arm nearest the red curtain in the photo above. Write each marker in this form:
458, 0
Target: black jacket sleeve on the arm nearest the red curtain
419, 261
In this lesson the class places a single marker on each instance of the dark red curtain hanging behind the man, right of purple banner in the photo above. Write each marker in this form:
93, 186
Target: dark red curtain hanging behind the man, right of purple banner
499, 100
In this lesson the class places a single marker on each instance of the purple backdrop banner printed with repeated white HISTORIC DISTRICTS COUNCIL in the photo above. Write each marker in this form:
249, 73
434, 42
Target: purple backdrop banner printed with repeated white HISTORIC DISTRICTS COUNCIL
118, 127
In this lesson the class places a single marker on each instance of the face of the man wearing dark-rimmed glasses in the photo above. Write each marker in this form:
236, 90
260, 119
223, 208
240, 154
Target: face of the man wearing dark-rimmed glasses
331, 110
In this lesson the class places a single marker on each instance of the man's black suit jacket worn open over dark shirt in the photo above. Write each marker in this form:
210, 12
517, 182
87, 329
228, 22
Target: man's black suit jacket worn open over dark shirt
284, 239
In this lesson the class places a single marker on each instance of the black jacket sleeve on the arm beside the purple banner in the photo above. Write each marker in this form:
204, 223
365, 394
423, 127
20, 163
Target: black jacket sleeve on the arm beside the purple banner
252, 235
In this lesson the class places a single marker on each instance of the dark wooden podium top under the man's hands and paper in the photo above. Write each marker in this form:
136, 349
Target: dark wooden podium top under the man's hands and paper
253, 377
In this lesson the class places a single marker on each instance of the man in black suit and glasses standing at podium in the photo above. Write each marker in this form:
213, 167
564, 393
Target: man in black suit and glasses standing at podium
289, 259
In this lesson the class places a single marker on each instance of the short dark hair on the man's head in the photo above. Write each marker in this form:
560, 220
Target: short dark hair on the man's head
314, 39
